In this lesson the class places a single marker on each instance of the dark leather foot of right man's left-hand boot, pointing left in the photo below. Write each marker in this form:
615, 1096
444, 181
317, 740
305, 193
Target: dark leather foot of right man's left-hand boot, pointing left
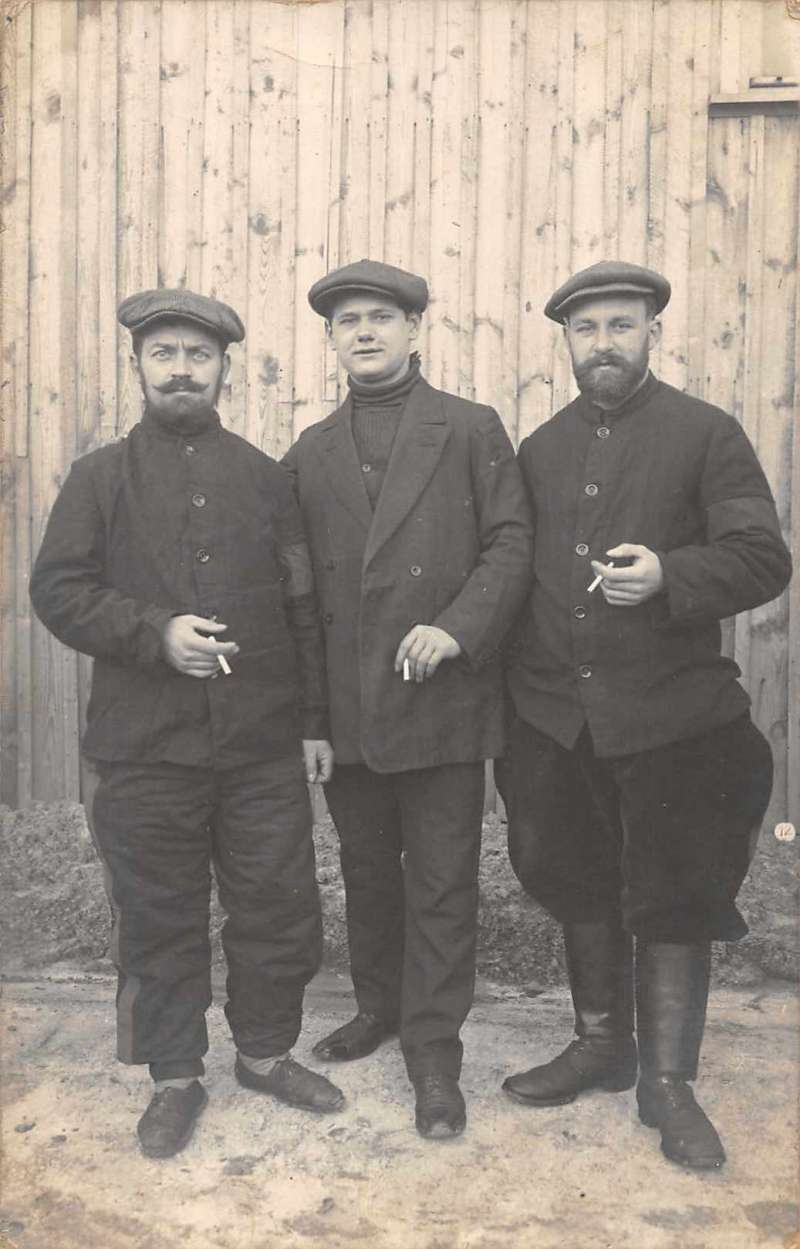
585, 1065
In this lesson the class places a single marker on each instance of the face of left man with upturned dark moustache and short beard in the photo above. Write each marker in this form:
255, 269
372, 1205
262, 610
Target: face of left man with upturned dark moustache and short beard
182, 369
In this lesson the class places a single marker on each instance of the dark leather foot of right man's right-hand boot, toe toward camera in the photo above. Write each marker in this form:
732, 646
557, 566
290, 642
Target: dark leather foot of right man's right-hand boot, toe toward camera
688, 1136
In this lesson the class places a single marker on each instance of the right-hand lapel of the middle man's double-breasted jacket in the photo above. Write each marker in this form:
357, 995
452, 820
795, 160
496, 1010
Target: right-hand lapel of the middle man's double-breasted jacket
421, 438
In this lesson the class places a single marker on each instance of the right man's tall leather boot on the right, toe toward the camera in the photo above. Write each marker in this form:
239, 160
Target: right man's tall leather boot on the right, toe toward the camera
672, 996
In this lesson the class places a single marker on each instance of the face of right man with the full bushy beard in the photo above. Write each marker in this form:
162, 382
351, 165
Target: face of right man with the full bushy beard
610, 342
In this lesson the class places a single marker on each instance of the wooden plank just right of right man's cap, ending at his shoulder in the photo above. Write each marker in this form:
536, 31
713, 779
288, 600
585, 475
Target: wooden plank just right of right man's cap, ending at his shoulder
675, 248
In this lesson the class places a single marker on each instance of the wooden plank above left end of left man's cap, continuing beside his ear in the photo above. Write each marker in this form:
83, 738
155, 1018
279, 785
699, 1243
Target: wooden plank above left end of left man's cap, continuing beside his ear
138, 188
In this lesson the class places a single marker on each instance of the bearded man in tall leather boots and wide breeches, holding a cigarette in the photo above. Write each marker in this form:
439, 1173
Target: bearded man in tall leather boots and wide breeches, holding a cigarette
637, 778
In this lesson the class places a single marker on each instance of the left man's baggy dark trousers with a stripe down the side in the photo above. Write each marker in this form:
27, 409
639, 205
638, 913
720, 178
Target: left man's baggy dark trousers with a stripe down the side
158, 829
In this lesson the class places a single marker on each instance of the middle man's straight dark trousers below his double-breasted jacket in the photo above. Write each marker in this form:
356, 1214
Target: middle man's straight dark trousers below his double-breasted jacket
410, 850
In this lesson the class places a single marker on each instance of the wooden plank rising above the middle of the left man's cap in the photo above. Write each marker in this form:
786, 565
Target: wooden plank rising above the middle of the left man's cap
182, 112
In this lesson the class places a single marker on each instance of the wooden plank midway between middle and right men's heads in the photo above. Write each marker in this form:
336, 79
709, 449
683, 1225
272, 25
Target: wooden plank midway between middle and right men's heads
492, 192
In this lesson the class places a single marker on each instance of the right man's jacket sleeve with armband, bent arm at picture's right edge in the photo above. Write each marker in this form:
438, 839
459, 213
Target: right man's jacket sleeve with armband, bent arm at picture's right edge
744, 561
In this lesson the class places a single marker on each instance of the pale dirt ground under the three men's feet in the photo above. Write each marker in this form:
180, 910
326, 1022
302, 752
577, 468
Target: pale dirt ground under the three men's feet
260, 1176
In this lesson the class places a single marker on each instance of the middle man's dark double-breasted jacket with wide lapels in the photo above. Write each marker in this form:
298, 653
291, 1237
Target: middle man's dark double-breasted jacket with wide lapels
450, 544
